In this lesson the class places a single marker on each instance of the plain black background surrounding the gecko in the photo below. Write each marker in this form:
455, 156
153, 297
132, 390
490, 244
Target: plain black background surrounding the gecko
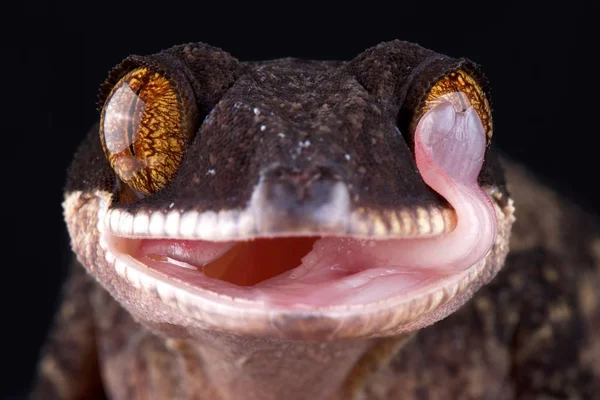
541, 60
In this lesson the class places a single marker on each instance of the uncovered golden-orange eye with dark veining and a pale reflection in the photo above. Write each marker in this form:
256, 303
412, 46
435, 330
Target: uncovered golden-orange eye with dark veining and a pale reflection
144, 129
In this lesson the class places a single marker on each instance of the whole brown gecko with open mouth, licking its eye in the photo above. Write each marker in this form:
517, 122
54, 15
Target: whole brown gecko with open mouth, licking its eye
298, 229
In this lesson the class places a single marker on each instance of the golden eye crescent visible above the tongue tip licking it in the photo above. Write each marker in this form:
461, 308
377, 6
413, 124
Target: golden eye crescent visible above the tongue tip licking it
460, 81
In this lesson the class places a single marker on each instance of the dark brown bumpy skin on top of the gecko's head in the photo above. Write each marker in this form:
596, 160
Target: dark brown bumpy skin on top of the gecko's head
345, 115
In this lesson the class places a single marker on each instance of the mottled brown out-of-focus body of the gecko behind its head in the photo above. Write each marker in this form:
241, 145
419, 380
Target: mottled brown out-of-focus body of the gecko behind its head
529, 334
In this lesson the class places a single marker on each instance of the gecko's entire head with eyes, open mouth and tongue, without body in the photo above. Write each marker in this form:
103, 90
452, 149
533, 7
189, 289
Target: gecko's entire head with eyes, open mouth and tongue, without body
289, 198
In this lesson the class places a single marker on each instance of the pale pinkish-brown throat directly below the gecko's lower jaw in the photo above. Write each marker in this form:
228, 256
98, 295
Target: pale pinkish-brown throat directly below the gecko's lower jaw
253, 368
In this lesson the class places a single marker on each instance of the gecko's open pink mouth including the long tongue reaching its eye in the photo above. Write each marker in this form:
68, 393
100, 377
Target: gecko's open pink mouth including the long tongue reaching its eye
328, 271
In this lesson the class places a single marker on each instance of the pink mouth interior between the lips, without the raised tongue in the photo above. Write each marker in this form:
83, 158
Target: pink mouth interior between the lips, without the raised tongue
287, 272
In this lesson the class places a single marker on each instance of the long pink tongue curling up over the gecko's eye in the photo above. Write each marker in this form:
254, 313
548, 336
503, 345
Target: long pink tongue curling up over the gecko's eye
449, 150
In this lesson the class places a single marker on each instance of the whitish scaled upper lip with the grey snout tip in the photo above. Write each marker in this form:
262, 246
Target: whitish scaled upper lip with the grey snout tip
329, 213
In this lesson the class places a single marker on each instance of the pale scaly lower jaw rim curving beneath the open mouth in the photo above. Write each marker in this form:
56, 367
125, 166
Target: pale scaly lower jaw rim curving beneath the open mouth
157, 300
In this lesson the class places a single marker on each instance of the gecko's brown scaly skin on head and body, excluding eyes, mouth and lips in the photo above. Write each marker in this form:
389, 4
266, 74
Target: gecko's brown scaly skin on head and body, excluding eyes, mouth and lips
528, 334
